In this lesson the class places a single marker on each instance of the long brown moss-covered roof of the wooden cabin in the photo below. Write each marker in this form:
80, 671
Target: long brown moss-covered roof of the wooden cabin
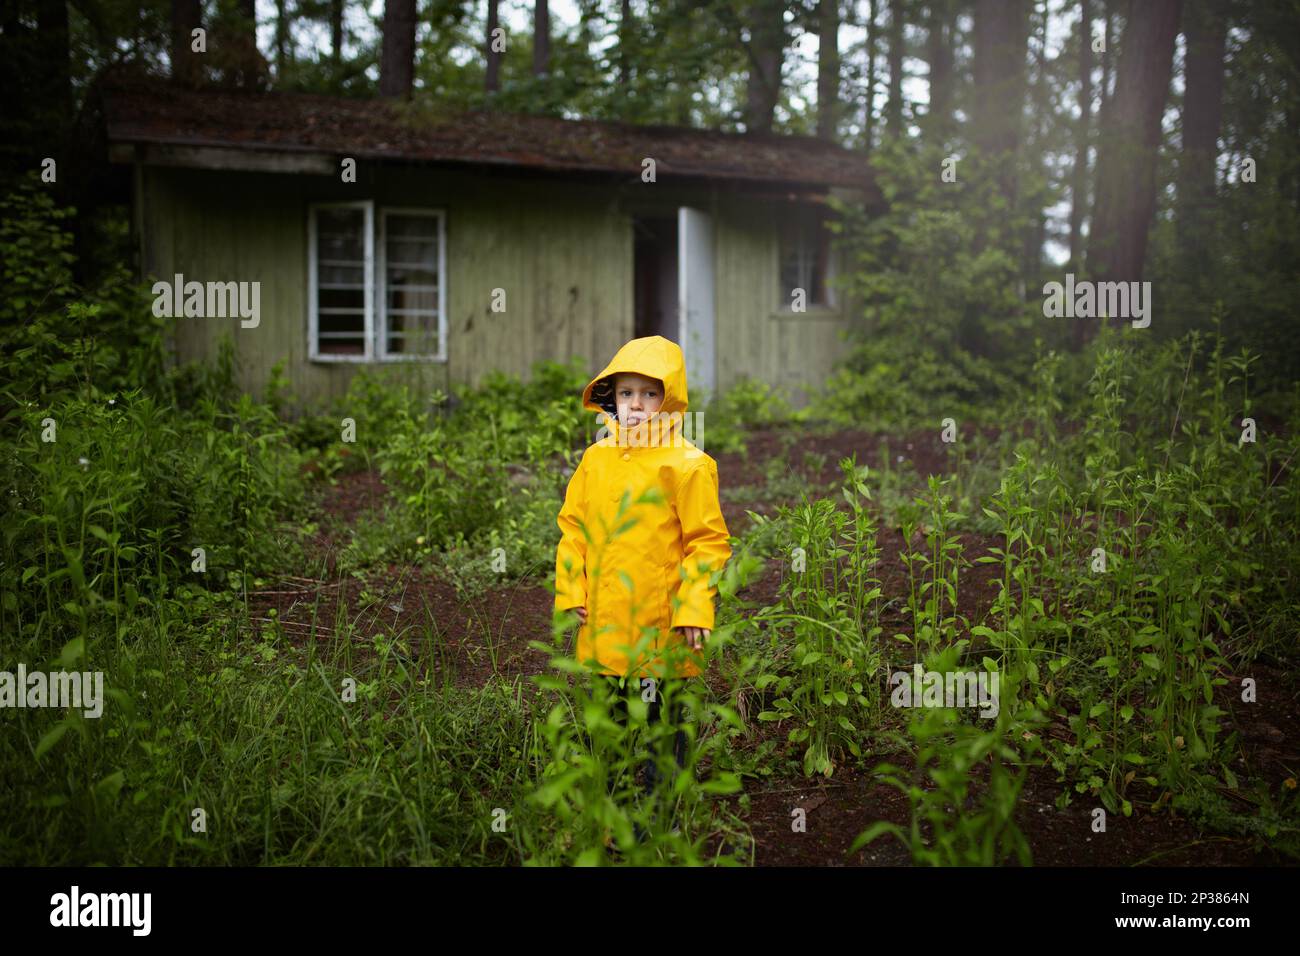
153, 114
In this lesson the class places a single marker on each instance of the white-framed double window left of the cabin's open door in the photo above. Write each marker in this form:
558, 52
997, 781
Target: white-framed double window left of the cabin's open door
376, 284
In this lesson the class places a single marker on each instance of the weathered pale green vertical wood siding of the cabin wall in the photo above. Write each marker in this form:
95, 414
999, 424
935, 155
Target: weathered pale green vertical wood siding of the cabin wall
562, 250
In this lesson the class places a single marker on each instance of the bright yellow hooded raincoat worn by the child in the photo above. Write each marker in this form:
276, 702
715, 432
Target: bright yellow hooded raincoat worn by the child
664, 552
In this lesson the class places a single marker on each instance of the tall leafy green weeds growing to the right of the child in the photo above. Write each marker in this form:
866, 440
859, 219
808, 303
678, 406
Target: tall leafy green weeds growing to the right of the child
1145, 552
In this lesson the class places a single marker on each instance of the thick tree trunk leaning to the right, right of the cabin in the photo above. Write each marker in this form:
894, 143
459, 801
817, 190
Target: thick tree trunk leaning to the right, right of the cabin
1126, 158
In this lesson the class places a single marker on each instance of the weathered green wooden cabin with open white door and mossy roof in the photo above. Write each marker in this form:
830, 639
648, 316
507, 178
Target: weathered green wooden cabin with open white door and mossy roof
448, 246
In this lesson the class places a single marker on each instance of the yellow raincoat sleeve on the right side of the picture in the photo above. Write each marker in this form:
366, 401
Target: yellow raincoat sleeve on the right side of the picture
705, 543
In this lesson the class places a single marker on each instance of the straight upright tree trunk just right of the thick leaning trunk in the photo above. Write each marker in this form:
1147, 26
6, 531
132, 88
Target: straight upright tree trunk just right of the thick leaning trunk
1206, 31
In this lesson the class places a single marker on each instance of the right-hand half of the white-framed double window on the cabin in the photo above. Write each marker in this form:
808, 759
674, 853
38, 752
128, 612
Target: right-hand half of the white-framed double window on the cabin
411, 284
